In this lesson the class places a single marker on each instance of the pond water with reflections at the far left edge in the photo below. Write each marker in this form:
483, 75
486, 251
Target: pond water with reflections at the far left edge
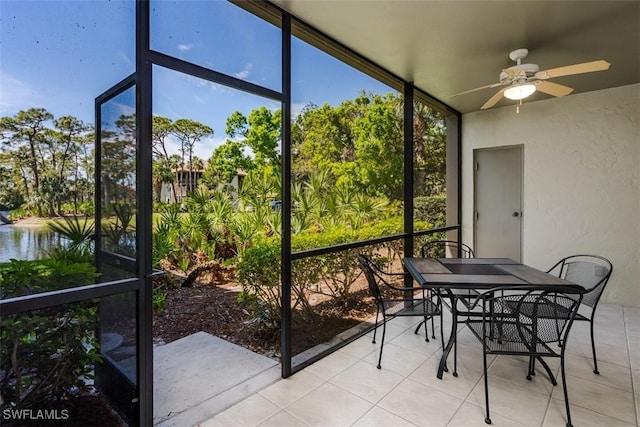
26, 242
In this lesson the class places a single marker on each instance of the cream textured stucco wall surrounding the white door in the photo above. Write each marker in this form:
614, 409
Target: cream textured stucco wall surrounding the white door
581, 179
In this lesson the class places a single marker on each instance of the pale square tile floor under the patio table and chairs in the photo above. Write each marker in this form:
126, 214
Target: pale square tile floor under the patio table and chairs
346, 389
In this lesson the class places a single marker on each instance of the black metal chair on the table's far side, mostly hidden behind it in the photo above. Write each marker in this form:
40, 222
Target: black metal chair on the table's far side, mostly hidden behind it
452, 249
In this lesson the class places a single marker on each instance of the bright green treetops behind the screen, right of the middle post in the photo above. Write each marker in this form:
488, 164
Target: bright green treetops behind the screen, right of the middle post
351, 139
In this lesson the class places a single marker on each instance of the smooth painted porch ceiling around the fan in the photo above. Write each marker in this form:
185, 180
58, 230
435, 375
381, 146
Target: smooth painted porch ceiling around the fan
447, 47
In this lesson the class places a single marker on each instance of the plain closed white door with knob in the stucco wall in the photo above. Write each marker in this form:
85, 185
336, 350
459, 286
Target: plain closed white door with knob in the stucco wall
498, 202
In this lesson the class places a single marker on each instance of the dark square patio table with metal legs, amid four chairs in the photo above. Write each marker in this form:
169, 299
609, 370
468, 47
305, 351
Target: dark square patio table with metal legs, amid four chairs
447, 274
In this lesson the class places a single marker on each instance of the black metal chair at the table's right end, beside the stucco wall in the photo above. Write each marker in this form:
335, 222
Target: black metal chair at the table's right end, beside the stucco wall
592, 272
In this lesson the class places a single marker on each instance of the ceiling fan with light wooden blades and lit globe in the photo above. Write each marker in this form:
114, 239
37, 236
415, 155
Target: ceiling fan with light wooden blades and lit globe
522, 80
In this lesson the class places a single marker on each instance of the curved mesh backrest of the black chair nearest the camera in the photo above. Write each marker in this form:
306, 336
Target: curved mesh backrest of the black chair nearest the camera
530, 317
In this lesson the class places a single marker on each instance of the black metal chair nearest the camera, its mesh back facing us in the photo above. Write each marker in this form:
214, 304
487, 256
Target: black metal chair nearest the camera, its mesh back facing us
525, 323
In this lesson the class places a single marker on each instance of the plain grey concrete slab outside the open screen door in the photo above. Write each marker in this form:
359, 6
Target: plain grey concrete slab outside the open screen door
198, 376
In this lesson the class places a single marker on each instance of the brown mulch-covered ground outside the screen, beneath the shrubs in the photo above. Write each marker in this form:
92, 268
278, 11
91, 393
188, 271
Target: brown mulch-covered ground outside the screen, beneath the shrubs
214, 308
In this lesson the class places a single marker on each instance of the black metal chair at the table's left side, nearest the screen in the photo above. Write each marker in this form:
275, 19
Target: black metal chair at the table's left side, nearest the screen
403, 301
